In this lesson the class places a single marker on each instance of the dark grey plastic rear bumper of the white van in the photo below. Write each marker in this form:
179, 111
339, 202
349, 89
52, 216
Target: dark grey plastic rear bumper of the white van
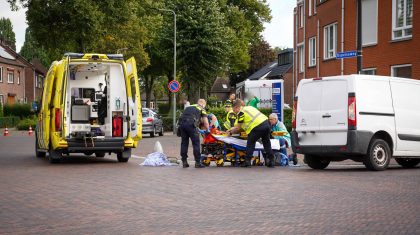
357, 144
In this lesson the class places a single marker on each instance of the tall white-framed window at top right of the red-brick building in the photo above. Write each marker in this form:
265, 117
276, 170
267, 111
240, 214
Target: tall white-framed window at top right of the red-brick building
402, 17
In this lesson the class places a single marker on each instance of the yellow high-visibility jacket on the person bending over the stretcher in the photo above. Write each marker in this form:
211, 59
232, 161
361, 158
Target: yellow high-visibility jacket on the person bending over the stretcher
250, 117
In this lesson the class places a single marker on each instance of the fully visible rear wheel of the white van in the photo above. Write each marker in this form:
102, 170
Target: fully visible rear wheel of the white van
378, 156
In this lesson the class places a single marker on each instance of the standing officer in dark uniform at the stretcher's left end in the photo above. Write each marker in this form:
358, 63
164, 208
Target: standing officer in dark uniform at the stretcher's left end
190, 121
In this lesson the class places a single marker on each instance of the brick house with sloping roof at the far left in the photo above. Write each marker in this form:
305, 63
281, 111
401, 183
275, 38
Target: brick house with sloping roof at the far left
20, 80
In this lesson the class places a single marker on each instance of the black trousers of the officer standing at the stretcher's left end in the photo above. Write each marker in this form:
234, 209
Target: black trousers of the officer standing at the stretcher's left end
189, 131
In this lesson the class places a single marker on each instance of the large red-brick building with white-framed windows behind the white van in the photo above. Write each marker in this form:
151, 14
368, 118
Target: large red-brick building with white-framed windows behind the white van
390, 42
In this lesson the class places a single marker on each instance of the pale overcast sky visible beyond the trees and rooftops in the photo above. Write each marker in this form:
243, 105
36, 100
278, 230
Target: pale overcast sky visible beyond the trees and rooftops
278, 33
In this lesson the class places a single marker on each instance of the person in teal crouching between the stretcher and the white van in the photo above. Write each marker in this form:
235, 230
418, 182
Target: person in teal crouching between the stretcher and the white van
277, 126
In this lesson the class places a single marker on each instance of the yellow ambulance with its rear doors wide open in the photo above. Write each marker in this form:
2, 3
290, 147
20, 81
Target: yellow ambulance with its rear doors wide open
91, 105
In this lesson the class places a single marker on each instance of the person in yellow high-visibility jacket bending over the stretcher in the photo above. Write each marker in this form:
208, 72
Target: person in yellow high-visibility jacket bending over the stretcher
256, 125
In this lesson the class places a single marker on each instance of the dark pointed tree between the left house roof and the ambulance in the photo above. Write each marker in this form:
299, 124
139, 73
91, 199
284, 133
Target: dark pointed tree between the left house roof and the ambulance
31, 50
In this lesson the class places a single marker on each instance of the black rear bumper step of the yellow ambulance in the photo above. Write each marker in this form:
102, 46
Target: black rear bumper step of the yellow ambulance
107, 144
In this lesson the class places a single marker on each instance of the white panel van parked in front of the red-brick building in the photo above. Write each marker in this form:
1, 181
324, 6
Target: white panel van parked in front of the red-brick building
365, 118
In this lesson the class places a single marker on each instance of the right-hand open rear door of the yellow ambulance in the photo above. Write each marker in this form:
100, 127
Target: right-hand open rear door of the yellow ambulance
134, 106
